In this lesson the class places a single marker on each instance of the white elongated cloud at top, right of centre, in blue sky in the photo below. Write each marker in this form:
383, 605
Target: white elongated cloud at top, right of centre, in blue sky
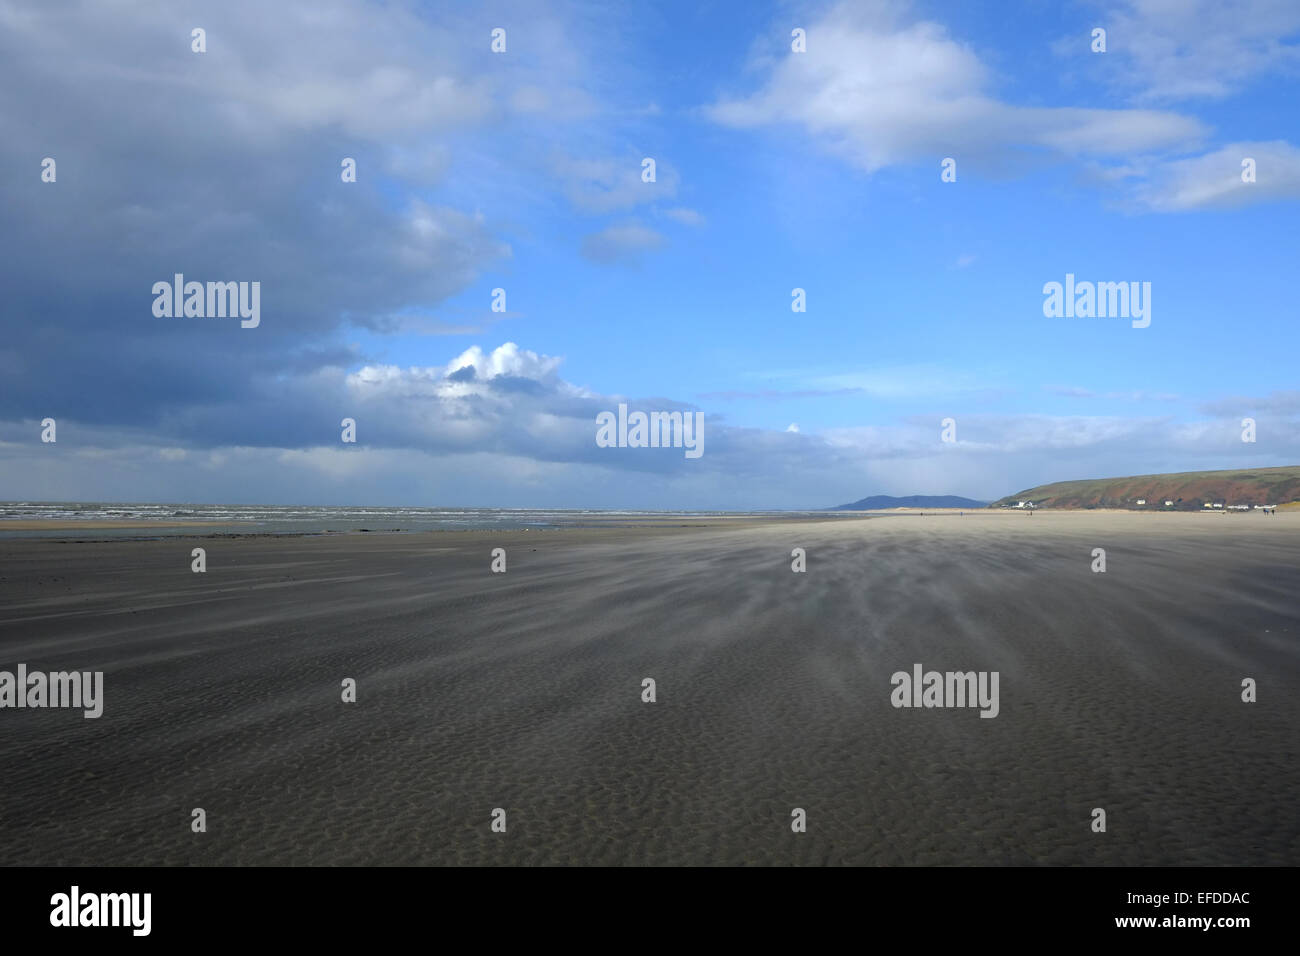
881, 93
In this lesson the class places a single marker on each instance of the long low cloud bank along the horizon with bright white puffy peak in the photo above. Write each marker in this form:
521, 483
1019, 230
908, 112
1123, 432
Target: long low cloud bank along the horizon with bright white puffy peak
502, 427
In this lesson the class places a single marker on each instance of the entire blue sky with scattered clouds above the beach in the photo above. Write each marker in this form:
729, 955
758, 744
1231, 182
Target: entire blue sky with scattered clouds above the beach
525, 171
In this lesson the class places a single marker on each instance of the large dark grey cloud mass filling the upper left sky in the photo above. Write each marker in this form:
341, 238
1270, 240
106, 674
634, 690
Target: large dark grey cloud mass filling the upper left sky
226, 166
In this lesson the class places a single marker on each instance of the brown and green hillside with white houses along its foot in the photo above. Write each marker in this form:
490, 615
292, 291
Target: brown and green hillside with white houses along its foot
1190, 491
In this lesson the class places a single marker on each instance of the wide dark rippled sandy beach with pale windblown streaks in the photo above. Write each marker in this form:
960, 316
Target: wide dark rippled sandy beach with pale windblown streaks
523, 691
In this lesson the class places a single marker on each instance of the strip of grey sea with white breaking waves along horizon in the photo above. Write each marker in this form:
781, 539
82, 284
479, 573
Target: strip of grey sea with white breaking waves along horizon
164, 520
